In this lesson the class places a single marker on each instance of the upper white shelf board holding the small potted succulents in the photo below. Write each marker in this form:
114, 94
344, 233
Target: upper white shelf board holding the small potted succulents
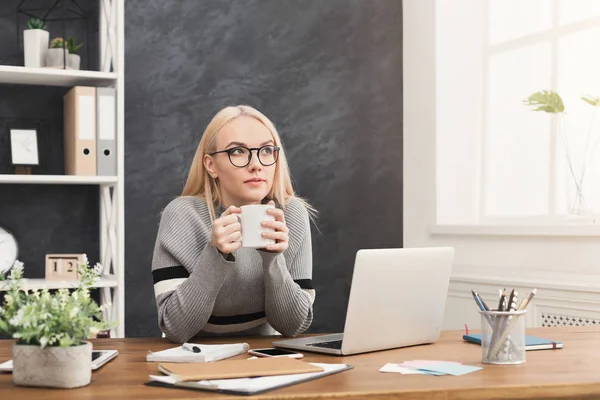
54, 77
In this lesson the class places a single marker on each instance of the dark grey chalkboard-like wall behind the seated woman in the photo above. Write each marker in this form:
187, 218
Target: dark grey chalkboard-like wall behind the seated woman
329, 75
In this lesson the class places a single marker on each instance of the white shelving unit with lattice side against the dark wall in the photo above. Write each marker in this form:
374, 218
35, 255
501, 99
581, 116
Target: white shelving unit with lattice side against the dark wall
111, 188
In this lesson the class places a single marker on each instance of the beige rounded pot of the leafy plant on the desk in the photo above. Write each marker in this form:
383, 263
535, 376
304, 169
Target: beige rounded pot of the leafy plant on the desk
58, 367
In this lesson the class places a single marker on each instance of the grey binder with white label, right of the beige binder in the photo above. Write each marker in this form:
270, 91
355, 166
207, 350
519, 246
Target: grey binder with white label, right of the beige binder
106, 123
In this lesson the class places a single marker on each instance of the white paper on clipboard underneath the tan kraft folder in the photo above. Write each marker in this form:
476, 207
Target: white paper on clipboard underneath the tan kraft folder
248, 386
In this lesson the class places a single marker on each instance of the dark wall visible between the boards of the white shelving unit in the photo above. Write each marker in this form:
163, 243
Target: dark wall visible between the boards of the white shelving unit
44, 218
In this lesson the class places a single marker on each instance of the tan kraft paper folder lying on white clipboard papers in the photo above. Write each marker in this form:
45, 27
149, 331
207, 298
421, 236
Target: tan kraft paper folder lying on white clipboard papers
266, 366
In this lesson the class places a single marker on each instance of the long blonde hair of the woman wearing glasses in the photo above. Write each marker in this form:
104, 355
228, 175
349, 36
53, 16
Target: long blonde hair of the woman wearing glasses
199, 181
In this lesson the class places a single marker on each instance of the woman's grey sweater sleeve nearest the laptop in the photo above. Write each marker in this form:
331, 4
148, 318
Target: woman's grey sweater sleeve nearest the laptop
289, 294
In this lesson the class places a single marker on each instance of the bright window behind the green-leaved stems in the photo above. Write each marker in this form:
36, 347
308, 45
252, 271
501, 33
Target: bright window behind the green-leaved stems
497, 160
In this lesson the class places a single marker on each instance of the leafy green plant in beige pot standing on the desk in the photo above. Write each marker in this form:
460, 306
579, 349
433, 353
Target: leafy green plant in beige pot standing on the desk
50, 330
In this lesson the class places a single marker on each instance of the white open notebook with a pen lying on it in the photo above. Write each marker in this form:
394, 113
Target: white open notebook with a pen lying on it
208, 353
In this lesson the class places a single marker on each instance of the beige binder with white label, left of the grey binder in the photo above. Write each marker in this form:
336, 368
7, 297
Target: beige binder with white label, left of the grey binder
79, 106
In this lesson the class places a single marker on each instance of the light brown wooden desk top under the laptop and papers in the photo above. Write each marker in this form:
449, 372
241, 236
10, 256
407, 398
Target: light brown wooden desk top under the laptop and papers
572, 372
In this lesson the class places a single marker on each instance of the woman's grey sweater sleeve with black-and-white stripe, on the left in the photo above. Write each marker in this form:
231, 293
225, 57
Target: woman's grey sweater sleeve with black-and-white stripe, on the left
188, 271
